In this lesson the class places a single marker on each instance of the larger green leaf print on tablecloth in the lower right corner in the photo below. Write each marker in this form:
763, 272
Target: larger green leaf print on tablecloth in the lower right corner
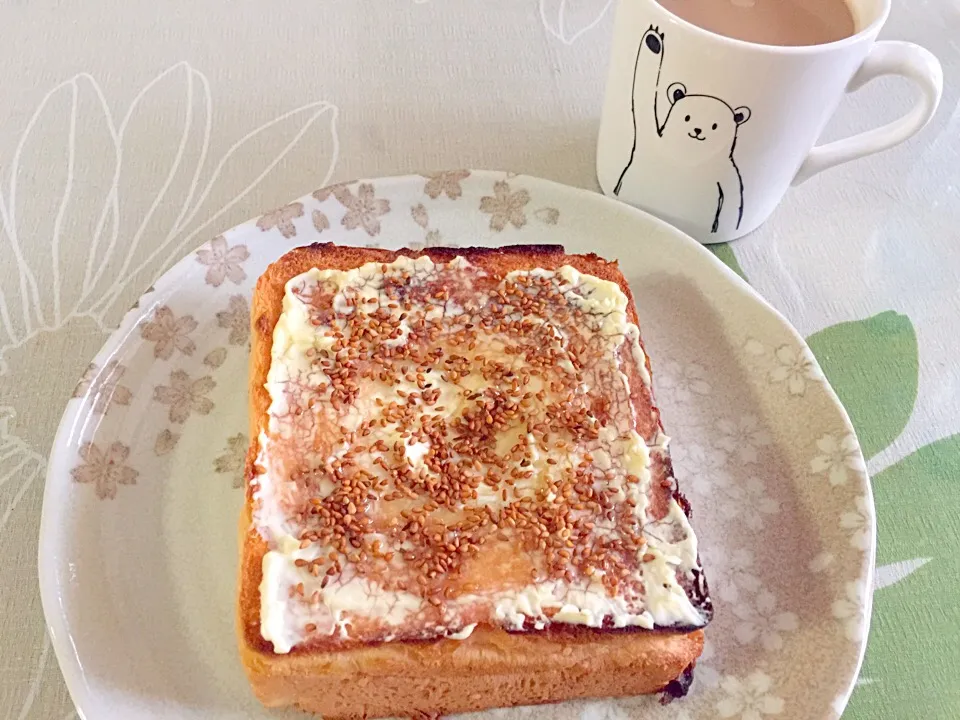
914, 649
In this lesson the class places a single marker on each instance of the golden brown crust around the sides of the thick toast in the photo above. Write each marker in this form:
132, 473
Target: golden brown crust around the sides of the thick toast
490, 668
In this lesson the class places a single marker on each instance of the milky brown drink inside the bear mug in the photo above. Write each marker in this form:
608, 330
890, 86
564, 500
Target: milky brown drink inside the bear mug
769, 22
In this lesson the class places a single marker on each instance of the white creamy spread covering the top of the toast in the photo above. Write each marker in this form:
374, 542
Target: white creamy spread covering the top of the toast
358, 598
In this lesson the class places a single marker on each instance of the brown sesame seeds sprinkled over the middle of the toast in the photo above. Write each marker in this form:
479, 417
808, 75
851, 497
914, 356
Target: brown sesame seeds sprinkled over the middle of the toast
523, 390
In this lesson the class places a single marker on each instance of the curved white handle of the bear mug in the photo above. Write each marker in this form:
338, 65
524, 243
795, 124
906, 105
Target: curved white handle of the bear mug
885, 58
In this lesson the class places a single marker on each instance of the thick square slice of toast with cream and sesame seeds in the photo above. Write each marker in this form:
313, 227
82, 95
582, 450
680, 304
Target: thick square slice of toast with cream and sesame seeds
459, 494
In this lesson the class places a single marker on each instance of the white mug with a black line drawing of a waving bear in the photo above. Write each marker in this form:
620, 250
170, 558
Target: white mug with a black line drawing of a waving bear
709, 132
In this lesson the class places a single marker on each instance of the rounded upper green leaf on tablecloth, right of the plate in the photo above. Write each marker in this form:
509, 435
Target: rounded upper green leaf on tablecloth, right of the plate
872, 365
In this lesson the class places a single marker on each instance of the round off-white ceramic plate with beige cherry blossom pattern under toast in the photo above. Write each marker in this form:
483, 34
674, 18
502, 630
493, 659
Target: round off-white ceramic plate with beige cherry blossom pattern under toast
138, 554
